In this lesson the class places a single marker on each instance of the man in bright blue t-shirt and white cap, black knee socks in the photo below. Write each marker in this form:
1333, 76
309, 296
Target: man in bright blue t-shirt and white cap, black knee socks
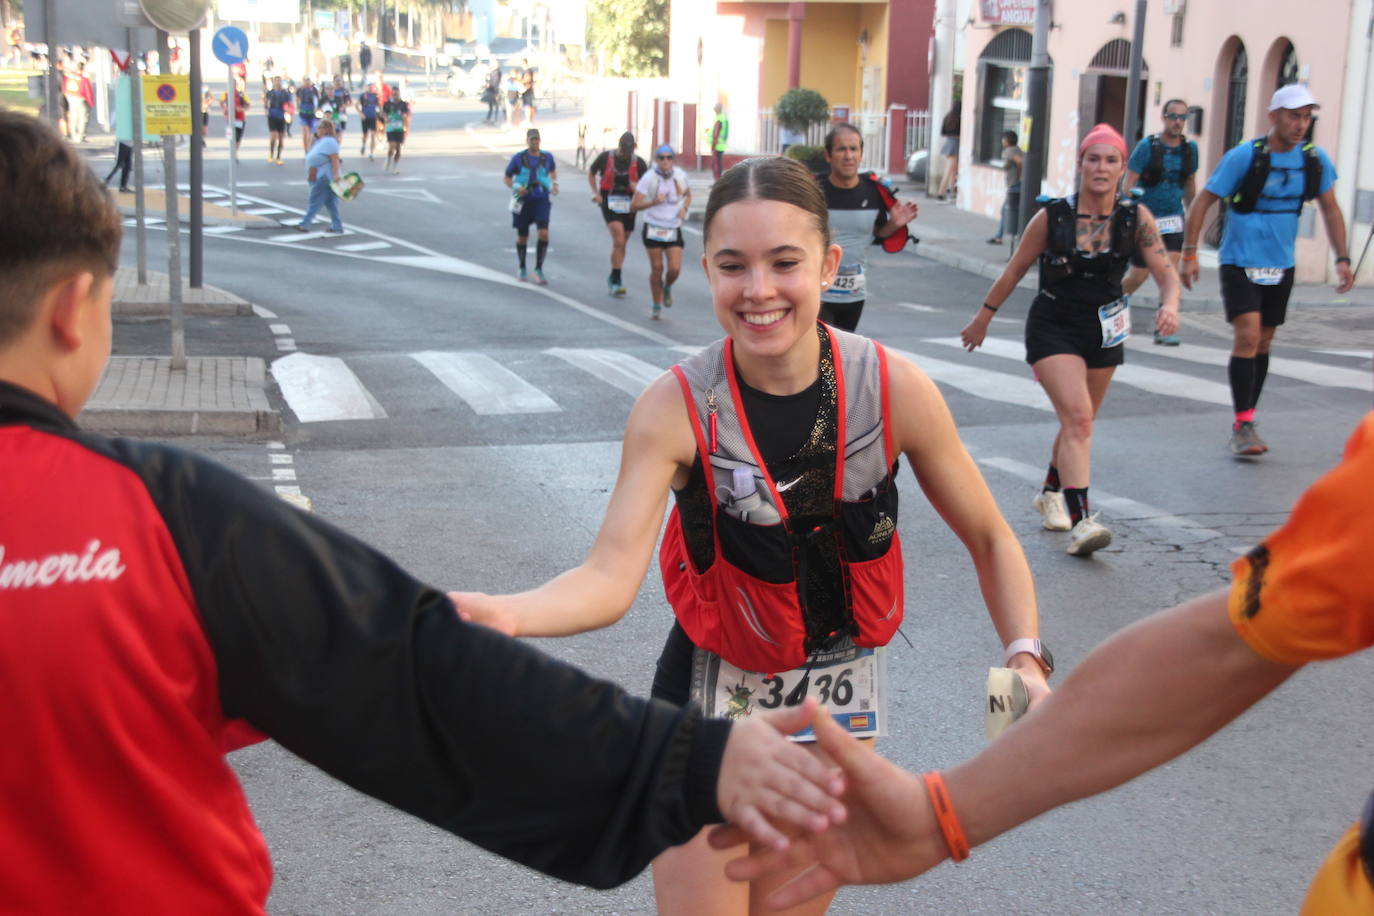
1258, 248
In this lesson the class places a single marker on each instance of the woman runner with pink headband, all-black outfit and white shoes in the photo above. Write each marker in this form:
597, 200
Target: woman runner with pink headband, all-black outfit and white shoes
1079, 323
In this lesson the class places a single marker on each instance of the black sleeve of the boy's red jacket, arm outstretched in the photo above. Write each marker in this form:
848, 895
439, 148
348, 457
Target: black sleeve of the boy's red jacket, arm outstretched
350, 663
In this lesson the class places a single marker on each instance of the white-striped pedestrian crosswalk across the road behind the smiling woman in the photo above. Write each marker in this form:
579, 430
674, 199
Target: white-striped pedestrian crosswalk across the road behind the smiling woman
556, 381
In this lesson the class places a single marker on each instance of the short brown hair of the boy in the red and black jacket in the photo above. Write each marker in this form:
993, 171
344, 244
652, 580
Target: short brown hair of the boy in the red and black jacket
56, 219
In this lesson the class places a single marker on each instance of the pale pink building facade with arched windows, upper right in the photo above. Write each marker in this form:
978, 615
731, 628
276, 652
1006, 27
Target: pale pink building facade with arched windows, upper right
1224, 60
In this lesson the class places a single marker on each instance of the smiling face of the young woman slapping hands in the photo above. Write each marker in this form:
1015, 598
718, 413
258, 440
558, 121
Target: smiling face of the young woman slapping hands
766, 263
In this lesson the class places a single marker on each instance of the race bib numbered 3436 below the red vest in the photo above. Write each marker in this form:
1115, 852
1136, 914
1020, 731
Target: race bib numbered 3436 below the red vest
848, 680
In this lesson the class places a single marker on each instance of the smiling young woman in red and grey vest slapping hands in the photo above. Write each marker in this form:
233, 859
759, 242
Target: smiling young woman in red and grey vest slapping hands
778, 554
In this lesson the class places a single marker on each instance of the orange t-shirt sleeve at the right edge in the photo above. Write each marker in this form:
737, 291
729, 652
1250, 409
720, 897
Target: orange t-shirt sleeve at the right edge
1307, 593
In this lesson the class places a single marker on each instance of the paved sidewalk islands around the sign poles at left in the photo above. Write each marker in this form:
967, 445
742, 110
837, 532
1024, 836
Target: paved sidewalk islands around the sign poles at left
212, 396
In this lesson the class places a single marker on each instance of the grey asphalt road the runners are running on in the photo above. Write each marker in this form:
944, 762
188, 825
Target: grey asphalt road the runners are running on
498, 502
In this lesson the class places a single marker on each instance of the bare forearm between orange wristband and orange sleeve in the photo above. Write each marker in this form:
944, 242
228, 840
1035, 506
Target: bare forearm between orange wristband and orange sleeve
1140, 700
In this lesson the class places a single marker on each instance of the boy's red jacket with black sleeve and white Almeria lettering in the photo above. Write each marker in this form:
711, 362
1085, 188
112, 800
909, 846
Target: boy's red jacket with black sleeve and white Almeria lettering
157, 612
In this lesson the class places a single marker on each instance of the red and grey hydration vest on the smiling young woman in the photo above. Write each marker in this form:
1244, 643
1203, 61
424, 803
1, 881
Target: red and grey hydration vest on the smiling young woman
730, 609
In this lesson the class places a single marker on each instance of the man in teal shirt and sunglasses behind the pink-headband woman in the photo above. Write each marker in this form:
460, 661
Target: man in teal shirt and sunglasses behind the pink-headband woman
1164, 167
